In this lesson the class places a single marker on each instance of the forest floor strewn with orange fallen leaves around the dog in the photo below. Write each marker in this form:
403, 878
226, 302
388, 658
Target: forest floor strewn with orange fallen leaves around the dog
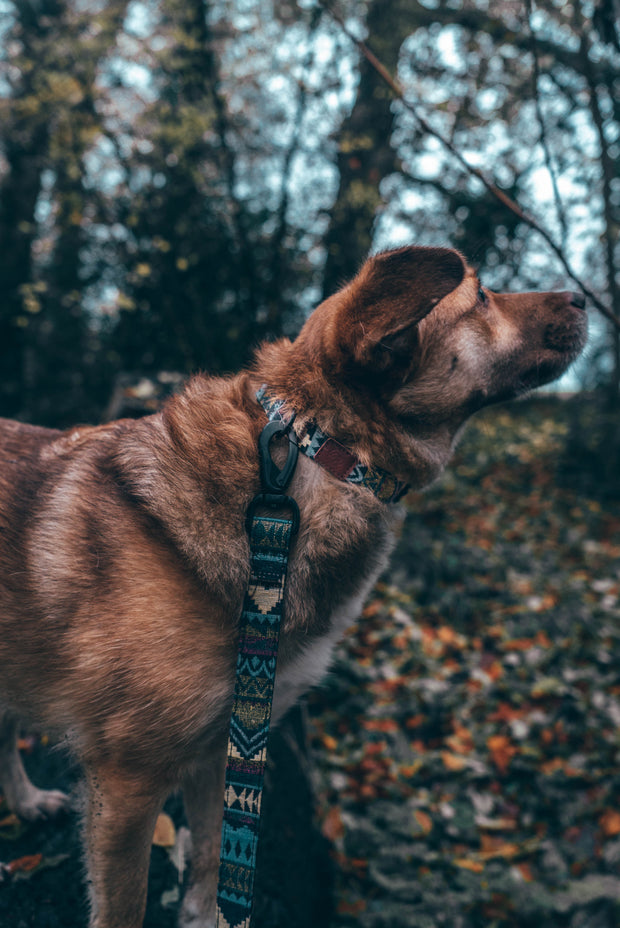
463, 756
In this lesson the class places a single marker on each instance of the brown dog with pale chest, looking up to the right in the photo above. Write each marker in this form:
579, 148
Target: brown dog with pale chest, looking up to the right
124, 556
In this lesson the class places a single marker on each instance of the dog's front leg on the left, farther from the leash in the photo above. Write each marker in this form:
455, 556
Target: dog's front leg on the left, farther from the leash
120, 815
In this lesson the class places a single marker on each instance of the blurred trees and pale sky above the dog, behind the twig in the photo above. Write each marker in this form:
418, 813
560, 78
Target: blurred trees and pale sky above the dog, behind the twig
181, 180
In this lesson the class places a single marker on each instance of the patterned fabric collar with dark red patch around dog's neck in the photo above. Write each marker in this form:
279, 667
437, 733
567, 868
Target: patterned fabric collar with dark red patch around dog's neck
335, 458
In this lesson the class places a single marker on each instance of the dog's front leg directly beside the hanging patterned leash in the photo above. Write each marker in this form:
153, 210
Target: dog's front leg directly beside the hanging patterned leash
203, 795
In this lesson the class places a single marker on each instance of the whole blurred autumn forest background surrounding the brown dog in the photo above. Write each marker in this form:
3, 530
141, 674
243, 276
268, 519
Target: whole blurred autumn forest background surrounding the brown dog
179, 180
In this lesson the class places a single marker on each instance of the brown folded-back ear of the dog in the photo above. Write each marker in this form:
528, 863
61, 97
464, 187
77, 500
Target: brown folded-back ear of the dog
393, 292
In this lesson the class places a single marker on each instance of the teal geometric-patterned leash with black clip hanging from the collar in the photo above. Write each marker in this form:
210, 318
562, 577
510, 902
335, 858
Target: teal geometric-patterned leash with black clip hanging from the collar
270, 540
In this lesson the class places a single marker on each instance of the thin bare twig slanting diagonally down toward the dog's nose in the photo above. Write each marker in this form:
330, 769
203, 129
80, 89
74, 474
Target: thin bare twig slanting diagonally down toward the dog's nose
503, 198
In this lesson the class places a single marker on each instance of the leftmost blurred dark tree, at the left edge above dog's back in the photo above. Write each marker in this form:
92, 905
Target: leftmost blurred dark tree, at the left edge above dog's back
48, 124
